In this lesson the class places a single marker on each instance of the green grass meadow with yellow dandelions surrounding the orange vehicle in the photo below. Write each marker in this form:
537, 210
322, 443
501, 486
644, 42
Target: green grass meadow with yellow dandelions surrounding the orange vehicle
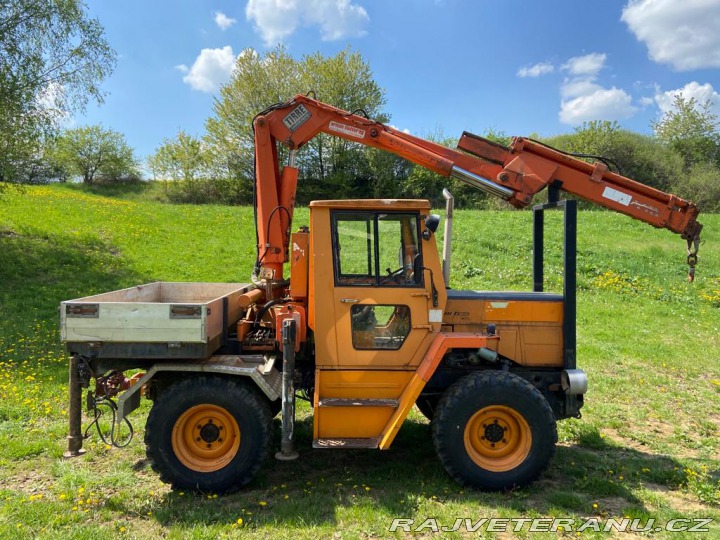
648, 444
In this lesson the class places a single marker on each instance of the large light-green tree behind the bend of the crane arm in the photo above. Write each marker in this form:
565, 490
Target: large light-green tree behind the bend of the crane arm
327, 164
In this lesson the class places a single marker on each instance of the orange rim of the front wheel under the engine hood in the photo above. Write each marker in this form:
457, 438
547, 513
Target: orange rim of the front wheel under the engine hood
497, 438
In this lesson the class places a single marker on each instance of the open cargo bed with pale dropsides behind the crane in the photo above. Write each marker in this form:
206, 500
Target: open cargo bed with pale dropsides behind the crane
158, 320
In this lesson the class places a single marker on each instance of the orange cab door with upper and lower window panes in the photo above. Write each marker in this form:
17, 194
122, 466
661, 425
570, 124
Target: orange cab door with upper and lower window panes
380, 295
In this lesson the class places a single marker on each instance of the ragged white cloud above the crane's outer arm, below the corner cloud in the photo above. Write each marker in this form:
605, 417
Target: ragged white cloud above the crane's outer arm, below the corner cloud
583, 99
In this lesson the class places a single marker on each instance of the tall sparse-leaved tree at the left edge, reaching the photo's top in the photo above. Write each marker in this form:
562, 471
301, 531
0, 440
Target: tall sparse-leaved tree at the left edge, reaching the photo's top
53, 58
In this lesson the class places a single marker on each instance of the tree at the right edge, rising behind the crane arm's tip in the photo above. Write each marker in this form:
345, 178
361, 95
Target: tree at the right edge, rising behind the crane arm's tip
691, 129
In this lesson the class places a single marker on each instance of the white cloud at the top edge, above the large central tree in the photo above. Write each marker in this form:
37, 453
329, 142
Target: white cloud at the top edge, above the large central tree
277, 19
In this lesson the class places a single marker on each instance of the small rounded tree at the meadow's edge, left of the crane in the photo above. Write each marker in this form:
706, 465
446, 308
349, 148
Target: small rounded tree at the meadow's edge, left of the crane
95, 153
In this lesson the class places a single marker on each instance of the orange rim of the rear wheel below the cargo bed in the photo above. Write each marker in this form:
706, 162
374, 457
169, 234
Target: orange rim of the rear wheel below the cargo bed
206, 438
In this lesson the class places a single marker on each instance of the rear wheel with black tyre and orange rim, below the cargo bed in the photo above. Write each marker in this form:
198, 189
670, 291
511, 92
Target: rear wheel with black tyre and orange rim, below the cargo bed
213, 406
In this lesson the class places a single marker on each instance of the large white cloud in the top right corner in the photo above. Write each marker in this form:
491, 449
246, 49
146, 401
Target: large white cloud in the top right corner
683, 33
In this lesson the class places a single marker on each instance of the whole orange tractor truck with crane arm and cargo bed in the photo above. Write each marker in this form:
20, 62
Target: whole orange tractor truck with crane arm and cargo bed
365, 326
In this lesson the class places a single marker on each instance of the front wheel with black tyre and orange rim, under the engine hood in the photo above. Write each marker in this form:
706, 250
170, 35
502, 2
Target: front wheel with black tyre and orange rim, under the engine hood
494, 431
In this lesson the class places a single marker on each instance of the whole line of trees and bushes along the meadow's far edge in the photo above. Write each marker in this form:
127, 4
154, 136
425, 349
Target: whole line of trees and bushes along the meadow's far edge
53, 58
